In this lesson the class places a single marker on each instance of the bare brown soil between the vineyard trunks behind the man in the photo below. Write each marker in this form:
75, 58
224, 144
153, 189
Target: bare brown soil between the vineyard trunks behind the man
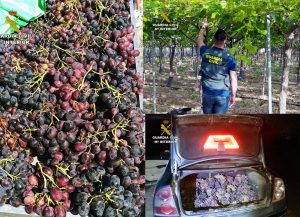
185, 91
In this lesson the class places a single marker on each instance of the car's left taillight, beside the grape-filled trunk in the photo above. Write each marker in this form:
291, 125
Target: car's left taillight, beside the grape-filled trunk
164, 203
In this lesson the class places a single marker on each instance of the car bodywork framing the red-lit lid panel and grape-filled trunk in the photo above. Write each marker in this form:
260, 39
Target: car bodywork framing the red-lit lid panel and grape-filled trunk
177, 166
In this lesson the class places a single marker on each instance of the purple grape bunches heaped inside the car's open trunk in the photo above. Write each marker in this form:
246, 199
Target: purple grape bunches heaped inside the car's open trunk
222, 190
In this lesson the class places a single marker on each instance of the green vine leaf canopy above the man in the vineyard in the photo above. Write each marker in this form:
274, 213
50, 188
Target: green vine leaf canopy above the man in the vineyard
243, 20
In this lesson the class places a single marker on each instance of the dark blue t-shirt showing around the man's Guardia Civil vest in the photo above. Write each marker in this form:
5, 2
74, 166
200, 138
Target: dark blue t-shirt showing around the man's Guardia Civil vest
231, 66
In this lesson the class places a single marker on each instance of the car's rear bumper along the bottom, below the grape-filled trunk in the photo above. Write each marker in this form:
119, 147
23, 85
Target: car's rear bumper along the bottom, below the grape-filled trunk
277, 209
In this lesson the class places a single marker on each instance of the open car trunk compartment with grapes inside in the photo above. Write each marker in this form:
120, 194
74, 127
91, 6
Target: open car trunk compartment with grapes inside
223, 189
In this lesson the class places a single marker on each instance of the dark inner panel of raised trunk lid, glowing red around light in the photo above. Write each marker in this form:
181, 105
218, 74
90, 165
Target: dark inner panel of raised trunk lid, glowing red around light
196, 141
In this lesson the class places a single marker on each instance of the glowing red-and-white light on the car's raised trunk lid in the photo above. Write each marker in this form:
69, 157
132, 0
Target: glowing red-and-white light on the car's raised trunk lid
221, 142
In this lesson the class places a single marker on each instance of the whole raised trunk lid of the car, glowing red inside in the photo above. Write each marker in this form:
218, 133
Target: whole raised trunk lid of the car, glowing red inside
198, 138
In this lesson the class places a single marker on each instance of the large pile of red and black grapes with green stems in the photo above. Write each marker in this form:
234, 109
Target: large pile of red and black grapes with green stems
71, 131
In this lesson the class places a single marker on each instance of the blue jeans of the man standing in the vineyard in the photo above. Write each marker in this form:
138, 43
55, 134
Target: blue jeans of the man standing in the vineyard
215, 104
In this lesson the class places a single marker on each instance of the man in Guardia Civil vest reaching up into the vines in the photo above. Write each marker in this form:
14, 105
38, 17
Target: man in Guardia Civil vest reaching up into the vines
218, 73
